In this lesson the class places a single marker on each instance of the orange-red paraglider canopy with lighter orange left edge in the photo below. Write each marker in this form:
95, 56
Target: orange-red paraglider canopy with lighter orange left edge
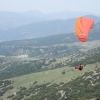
83, 27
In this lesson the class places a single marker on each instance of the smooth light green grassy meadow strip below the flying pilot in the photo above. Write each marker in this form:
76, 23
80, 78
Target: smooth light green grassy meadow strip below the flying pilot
55, 76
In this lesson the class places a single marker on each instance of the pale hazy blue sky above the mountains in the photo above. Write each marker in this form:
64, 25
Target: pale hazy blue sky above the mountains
48, 6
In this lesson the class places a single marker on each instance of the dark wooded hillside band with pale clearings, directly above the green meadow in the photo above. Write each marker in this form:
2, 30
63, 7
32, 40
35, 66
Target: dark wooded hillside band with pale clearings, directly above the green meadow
16, 67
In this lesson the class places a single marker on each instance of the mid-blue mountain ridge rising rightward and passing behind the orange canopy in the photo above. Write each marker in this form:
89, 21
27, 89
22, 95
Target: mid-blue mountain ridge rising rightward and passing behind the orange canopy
42, 29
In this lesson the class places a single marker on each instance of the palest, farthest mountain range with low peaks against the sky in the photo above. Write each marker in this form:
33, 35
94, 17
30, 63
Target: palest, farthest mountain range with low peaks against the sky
56, 15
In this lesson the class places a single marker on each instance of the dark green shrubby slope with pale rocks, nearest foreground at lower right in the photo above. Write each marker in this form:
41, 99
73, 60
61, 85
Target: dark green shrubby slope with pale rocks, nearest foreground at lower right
86, 87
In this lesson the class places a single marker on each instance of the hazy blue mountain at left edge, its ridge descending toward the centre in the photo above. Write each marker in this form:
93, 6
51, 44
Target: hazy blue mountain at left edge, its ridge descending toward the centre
11, 19
